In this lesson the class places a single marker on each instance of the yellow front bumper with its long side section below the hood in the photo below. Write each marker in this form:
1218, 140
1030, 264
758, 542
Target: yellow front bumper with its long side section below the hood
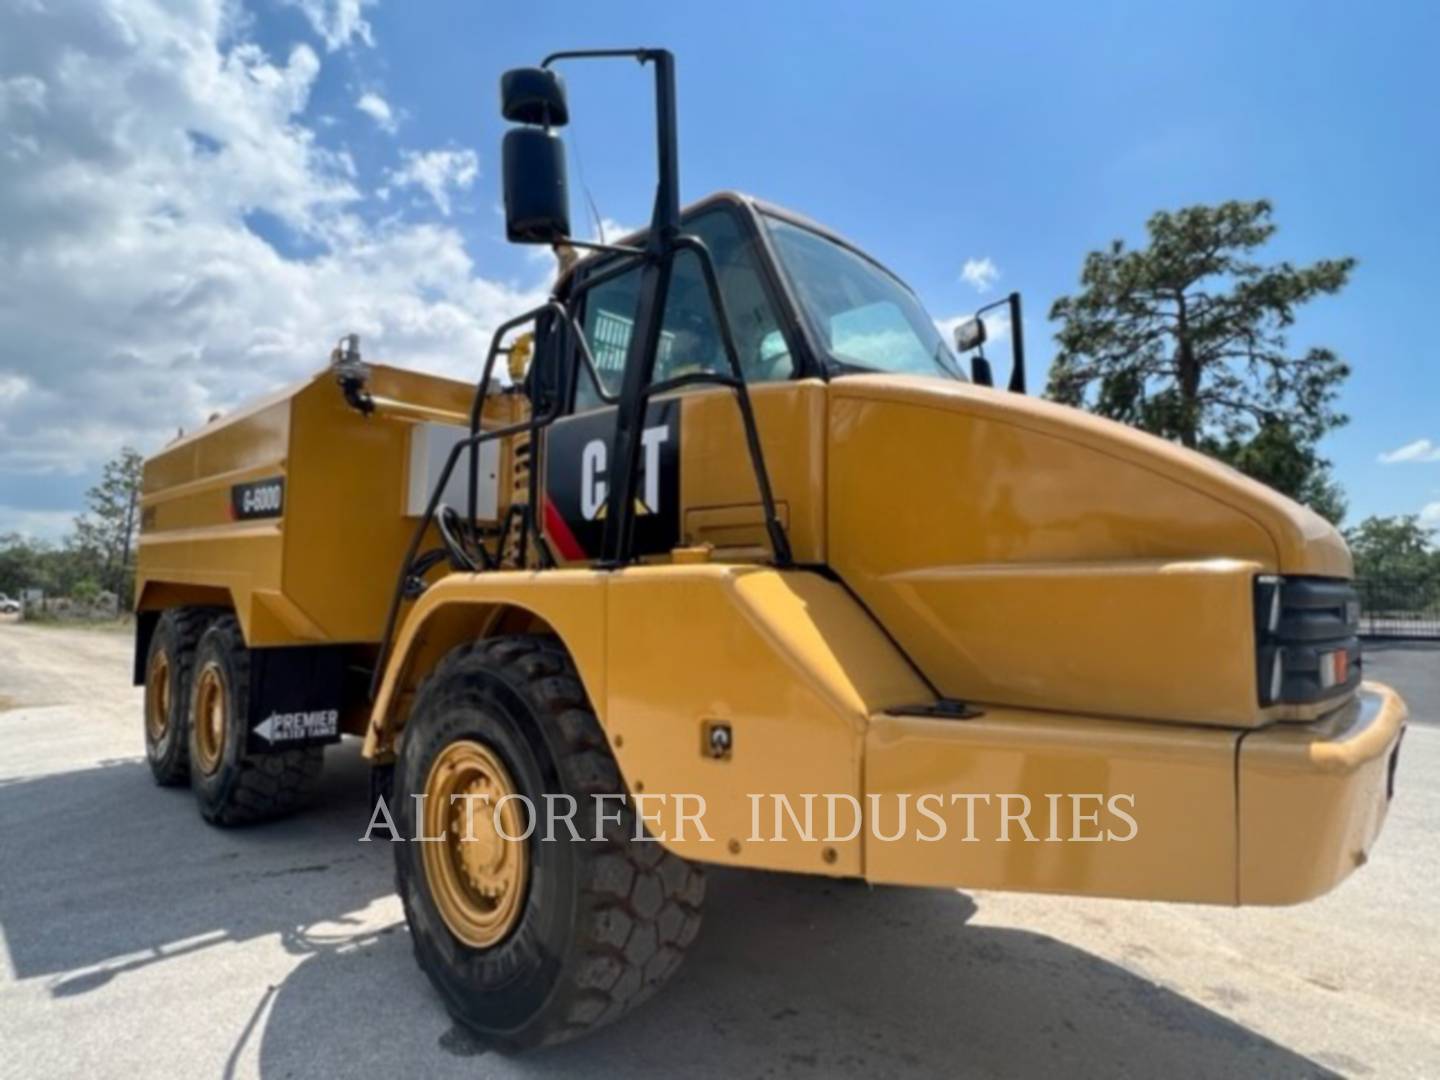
1220, 816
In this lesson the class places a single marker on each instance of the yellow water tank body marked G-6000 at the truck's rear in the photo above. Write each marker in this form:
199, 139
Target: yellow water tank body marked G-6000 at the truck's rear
323, 572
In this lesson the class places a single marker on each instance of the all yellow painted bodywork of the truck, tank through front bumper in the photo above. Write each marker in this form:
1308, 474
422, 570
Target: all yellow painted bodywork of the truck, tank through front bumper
1086, 587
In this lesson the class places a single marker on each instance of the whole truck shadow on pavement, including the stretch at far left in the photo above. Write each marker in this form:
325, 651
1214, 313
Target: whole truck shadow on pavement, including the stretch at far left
106, 875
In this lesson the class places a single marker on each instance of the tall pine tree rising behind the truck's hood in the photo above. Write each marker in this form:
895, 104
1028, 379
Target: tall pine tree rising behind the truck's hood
1187, 339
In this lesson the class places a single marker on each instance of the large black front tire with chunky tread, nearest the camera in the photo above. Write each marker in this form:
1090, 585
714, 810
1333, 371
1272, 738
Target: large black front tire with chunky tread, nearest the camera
603, 925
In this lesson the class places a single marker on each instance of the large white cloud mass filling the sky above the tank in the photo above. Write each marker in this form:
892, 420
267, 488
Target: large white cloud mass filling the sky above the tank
138, 139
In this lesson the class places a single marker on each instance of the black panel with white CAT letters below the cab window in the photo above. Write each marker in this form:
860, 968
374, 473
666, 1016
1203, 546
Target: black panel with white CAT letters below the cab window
578, 483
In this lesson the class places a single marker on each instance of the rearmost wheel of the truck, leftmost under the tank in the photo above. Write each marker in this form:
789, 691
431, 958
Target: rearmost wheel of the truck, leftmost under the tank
169, 666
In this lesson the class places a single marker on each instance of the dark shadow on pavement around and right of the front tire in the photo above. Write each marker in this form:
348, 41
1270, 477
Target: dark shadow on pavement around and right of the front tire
809, 977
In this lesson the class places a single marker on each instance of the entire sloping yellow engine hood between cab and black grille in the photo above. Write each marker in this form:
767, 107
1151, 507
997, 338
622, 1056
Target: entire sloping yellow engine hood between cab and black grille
1026, 554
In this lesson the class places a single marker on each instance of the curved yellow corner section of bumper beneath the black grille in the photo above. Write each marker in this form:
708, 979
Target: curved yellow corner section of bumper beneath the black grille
1314, 797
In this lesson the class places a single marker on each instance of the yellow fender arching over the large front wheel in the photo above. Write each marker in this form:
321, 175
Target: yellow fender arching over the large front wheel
784, 662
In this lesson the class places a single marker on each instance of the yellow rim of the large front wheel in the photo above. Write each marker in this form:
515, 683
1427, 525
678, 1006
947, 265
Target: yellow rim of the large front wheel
477, 875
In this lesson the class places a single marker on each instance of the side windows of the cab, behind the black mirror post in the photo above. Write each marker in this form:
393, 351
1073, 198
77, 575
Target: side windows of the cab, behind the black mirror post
690, 333
